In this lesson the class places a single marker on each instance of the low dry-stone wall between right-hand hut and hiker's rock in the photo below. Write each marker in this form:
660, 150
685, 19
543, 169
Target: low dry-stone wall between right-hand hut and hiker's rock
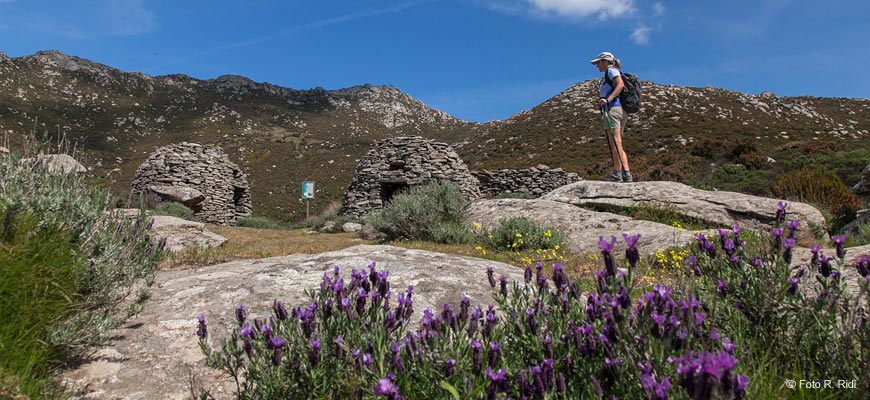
533, 181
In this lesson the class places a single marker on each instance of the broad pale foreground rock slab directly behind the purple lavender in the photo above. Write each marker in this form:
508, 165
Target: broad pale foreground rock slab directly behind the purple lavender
156, 353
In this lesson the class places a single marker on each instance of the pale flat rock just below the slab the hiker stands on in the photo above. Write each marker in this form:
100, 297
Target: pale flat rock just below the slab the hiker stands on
581, 227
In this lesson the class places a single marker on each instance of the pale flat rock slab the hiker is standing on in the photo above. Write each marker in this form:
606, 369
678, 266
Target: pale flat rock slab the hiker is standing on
716, 207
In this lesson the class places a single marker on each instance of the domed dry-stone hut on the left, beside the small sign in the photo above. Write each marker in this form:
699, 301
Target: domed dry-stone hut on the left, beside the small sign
200, 176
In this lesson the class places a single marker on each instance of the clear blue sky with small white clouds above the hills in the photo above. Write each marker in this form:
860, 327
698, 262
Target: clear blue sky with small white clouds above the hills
476, 59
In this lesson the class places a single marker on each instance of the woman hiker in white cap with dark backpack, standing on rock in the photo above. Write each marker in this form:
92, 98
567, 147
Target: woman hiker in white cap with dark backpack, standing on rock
614, 118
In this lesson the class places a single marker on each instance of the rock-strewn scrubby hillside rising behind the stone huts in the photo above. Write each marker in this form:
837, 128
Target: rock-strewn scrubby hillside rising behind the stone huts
705, 137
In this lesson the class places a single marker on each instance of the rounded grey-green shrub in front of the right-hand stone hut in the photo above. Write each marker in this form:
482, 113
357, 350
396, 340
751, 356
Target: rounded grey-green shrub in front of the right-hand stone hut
416, 213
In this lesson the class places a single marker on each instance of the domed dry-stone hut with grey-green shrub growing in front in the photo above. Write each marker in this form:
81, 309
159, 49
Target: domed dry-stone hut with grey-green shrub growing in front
399, 163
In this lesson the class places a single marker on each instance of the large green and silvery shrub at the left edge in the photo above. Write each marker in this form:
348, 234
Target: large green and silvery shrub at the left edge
71, 270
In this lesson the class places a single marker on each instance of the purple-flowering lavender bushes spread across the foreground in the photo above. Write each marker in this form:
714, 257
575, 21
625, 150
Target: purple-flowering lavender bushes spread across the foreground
739, 320
